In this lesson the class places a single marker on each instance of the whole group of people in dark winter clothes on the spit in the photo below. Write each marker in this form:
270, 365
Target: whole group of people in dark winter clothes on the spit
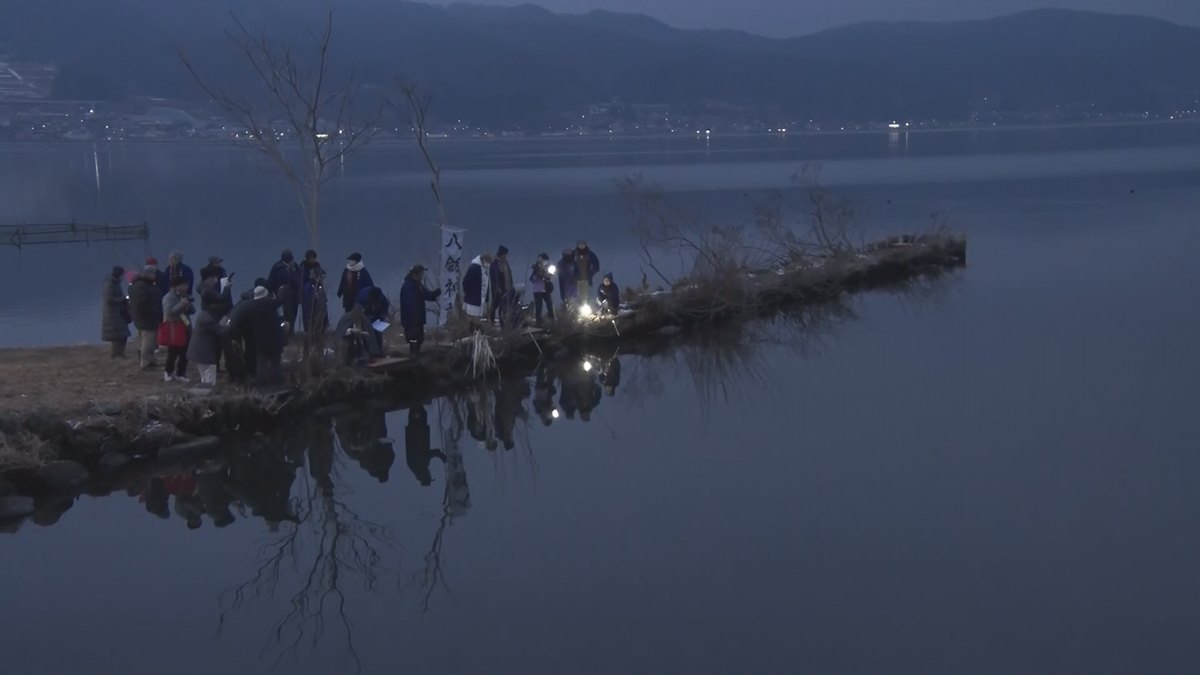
201, 321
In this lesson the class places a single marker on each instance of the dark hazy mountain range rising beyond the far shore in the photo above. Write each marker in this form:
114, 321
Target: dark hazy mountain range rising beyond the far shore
508, 67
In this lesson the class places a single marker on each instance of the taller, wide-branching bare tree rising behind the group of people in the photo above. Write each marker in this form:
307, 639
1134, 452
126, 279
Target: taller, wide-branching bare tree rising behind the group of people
301, 114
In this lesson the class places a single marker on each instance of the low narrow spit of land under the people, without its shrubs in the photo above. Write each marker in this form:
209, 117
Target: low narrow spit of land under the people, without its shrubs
77, 404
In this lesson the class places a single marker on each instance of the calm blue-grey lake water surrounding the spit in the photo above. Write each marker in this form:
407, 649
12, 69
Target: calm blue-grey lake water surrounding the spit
997, 476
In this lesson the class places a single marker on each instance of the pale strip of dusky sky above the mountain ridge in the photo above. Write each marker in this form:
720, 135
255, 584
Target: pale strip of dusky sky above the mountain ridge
796, 17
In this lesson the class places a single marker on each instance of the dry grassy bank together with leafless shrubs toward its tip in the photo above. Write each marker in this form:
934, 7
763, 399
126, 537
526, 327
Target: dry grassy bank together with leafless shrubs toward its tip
69, 415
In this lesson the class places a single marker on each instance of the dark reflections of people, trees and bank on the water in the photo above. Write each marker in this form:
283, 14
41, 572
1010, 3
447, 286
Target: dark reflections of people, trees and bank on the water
321, 554
